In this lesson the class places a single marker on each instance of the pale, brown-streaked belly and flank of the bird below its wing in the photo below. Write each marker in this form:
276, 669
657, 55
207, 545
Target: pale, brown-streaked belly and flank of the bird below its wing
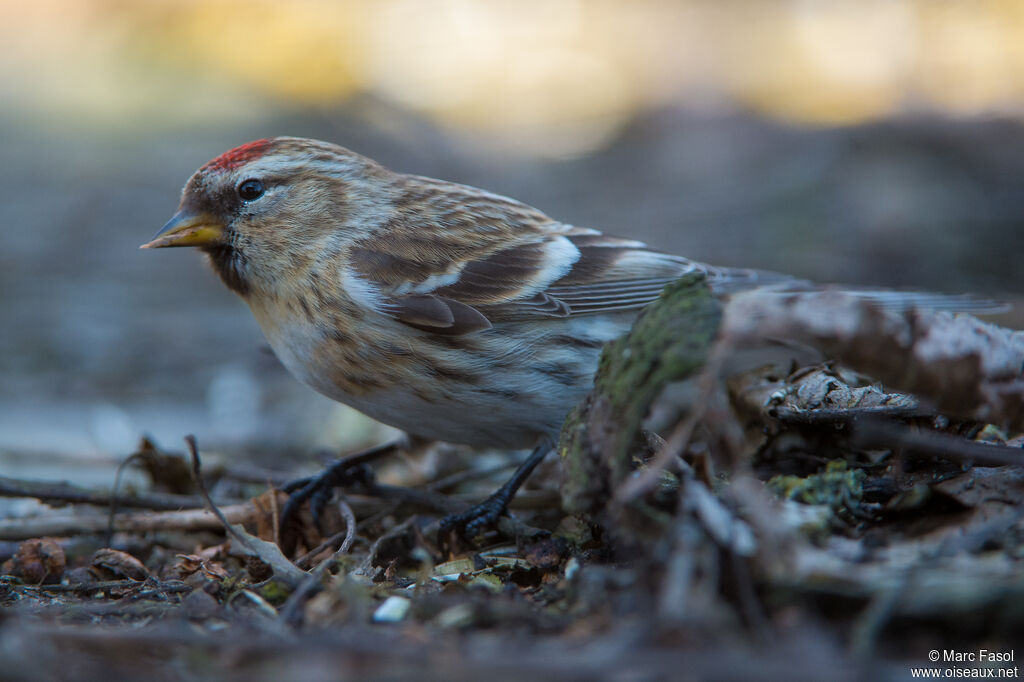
479, 395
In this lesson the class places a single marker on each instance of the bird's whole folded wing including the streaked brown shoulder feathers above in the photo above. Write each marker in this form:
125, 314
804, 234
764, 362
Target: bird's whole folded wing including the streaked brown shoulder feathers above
504, 262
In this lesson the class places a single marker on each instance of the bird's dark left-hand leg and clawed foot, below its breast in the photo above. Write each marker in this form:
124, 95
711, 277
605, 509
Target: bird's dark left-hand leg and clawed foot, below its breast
349, 471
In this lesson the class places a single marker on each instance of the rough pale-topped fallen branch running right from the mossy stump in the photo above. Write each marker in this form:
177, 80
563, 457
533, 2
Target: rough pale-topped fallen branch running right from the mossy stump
959, 364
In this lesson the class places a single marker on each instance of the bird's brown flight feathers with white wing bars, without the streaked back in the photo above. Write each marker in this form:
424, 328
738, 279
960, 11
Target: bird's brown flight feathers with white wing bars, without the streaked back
547, 276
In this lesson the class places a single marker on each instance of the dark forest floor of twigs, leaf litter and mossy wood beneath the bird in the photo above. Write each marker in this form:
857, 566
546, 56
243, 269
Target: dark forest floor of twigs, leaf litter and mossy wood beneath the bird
795, 521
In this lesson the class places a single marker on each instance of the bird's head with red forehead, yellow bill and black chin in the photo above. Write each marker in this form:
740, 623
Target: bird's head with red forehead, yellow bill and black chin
265, 210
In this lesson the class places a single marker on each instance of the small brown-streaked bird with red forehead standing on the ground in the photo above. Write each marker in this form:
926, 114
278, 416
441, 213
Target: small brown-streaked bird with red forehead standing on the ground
445, 311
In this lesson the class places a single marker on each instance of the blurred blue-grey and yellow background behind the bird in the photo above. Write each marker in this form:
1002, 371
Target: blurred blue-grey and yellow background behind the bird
862, 142
